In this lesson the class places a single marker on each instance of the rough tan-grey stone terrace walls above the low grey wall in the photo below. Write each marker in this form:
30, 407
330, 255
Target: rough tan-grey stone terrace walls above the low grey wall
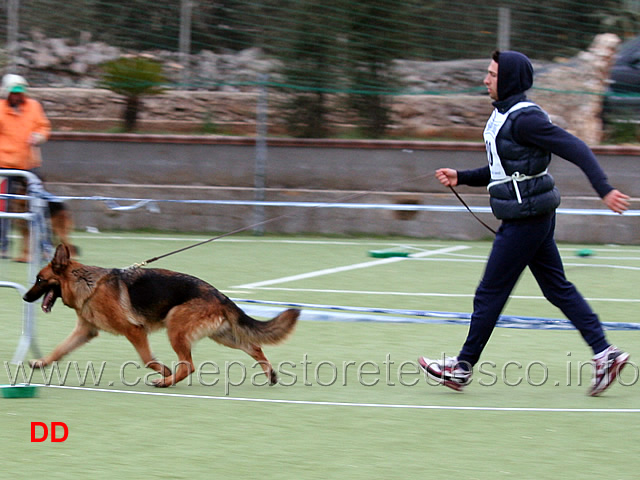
571, 91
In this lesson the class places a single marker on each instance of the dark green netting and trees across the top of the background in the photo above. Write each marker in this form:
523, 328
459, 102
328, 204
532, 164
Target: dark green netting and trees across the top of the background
330, 46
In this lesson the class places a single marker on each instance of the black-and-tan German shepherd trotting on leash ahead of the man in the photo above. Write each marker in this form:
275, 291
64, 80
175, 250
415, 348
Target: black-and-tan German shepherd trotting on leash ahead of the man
135, 301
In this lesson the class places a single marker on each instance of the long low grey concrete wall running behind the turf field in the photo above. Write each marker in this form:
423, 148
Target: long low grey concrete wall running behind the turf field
180, 170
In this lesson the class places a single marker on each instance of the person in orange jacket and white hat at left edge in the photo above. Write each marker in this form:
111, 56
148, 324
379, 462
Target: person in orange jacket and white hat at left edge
23, 127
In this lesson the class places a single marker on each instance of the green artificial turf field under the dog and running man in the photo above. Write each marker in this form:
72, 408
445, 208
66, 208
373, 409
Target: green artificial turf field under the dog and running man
344, 409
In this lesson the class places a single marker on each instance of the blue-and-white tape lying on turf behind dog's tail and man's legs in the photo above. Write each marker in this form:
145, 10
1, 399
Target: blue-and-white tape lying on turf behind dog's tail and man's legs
329, 313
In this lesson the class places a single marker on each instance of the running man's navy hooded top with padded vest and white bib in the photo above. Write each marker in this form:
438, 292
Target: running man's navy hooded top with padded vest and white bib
524, 144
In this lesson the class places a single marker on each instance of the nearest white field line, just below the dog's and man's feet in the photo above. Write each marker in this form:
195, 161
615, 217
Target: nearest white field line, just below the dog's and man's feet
353, 404
